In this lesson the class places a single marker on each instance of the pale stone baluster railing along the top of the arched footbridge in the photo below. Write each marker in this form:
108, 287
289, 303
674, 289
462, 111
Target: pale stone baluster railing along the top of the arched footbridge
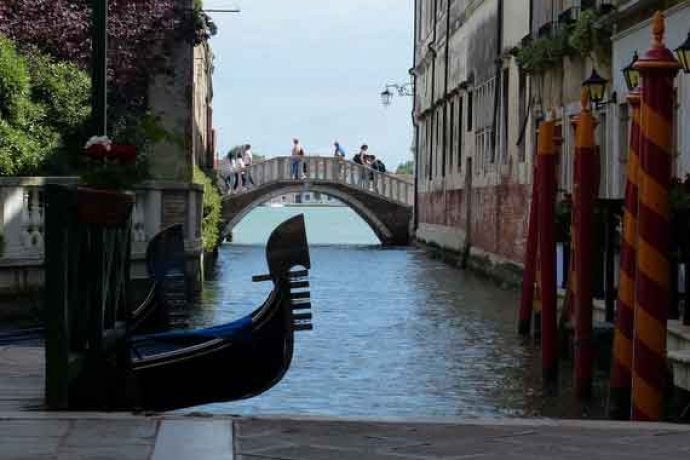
328, 169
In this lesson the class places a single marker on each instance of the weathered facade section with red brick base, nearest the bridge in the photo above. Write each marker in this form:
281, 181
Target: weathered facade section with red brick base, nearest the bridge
470, 101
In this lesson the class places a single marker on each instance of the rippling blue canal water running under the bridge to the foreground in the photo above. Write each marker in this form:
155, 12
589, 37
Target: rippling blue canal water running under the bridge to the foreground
396, 332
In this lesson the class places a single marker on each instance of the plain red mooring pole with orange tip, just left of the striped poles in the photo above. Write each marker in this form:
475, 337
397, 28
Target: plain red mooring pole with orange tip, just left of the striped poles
583, 208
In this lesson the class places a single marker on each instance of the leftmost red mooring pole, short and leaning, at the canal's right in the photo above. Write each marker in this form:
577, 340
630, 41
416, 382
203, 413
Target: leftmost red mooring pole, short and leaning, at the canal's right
529, 275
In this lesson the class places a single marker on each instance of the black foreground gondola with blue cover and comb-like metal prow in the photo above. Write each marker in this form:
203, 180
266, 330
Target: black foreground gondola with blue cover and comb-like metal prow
180, 369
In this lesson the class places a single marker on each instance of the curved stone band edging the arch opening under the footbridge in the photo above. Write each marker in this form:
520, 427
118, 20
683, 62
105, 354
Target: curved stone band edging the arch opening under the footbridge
380, 229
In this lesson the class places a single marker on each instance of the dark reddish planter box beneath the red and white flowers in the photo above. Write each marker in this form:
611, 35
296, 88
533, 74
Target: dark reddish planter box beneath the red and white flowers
103, 207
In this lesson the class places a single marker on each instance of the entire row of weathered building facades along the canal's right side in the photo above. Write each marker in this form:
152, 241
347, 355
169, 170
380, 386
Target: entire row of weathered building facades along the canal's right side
481, 88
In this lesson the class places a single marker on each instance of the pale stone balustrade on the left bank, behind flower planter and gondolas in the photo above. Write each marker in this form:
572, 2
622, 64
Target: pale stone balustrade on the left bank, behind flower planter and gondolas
158, 204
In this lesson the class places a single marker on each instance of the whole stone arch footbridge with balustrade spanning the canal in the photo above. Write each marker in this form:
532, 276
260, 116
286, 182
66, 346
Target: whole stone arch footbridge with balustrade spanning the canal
382, 200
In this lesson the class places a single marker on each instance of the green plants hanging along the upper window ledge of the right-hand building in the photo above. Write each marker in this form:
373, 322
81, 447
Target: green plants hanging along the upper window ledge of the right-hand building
591, 33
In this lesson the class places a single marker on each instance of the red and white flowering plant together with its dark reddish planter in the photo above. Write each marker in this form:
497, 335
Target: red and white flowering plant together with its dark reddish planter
109, 172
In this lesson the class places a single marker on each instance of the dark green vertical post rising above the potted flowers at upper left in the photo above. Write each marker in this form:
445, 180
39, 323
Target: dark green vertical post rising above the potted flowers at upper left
99, 66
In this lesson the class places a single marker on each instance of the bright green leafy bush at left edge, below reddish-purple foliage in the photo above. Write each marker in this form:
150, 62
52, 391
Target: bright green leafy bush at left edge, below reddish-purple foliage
44, 106
